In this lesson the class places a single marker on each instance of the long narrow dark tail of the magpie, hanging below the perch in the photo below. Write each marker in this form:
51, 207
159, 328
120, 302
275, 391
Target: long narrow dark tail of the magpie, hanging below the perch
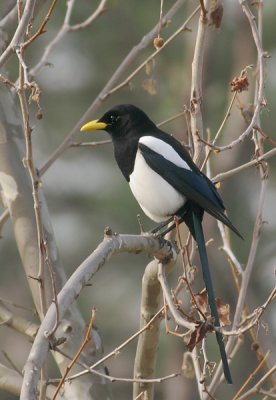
199, 237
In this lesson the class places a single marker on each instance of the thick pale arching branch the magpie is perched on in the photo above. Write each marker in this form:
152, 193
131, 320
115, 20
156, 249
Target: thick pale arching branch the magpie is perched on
112, 244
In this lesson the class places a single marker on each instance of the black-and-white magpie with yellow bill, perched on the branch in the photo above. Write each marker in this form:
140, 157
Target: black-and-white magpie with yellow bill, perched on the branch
166, 183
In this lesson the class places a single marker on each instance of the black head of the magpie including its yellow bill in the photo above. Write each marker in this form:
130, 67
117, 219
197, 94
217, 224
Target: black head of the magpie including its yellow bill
121, 122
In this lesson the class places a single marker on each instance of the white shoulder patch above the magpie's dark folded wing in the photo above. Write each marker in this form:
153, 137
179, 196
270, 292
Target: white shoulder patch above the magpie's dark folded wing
166, 150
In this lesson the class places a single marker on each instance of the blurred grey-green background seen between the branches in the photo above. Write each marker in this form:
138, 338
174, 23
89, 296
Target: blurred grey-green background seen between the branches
86, 192
